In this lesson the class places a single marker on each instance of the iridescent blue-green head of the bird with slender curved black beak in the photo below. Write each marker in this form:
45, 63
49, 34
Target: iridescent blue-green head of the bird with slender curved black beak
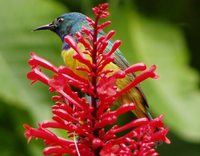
67, 24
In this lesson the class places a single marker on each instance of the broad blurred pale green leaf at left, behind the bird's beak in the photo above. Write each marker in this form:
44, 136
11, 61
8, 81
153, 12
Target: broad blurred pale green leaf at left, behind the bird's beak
17, 40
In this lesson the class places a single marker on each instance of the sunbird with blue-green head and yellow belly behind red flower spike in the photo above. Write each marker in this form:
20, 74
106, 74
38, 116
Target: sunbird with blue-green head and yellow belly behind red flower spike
70, 24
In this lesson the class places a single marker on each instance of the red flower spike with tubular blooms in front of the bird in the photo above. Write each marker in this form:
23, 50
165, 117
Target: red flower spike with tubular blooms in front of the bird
85, 118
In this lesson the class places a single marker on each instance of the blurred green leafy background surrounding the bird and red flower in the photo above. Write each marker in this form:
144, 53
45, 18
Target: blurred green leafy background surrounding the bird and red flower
165, 33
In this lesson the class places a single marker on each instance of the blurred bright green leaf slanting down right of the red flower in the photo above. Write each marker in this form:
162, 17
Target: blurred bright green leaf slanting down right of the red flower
175, 94
